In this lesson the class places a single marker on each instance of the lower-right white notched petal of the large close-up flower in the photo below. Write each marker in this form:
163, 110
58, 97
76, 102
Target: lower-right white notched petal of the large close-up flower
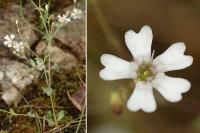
170, 88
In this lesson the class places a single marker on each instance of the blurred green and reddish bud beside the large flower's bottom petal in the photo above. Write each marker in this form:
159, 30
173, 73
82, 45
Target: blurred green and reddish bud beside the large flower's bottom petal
116, 102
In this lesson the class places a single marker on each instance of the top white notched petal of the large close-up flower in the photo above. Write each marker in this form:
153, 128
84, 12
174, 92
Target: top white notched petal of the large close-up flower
139, 44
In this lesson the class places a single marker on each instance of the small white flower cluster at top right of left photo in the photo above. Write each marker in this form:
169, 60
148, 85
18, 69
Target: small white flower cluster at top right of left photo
66, 18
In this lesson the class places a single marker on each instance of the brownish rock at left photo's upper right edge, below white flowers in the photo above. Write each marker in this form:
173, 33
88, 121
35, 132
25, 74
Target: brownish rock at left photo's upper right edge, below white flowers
72, 37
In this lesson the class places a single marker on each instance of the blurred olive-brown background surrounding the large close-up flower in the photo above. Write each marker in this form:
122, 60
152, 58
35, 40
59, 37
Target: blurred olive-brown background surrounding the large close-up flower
171, 21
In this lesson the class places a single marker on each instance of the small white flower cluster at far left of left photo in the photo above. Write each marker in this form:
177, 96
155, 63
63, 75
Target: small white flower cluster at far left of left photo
10, 42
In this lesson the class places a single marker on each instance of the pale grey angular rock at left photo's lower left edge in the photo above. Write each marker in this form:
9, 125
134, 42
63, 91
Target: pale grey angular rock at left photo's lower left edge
16, 77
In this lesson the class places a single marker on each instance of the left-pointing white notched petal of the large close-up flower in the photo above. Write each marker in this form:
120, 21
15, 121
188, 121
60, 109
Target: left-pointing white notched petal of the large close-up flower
116, 68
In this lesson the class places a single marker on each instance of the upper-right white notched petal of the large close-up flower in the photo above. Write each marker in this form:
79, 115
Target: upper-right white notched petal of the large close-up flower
172, 59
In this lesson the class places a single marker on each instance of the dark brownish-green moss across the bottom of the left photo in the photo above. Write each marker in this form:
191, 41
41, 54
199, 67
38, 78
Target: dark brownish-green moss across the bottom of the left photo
62, 81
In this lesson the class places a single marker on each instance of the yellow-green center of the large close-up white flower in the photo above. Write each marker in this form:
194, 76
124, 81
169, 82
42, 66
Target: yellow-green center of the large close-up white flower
144, 72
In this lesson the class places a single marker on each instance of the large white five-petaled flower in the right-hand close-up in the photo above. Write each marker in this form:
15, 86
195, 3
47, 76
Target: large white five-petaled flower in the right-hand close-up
148, 73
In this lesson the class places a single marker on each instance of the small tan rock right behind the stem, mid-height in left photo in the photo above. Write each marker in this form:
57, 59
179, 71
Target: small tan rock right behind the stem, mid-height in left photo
65, 60
